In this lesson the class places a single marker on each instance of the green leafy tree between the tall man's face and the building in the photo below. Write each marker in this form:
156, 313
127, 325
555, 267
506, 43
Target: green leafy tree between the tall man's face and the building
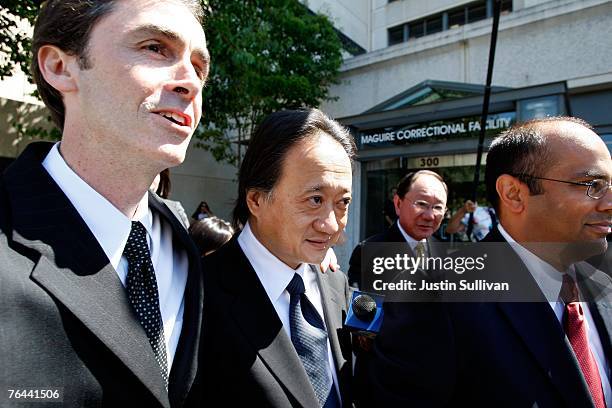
267, 55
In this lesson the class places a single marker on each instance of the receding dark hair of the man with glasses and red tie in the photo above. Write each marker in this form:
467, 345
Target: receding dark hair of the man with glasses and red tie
519, 151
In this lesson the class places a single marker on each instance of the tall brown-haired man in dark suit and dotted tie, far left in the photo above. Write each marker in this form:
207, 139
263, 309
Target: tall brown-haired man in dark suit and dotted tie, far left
100, 286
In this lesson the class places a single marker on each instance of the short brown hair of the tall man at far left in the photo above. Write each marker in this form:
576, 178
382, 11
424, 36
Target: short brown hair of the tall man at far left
67, 24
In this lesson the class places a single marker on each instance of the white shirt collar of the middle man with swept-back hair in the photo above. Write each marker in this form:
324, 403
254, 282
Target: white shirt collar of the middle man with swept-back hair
273, 273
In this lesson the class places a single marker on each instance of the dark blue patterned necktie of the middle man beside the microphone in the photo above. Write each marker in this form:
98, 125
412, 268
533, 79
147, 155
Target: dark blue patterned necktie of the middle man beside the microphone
309, 336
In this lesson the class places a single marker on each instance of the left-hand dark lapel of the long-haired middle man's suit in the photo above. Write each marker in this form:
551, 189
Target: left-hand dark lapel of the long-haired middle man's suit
255, 315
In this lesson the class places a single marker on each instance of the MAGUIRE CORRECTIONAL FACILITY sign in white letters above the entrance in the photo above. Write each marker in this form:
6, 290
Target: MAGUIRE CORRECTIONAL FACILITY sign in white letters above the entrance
440, 130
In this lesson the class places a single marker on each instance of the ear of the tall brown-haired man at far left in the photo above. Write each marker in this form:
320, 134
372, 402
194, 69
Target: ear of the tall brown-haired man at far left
58, 68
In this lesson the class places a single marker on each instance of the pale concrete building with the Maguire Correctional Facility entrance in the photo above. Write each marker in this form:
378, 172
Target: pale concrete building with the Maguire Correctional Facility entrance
412, 95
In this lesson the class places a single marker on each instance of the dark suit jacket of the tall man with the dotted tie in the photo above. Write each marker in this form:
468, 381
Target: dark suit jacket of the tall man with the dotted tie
65, 320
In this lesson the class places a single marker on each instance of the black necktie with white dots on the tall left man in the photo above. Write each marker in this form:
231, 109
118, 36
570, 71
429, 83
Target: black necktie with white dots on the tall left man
141, 286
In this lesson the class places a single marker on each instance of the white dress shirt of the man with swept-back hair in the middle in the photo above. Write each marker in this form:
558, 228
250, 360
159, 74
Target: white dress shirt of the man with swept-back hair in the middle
275, 275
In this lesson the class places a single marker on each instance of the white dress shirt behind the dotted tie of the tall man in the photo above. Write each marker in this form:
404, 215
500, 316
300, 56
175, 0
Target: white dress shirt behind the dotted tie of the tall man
112, 229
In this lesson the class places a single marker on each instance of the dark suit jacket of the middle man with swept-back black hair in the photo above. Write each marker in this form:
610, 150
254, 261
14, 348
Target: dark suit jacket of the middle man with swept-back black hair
247, 357
